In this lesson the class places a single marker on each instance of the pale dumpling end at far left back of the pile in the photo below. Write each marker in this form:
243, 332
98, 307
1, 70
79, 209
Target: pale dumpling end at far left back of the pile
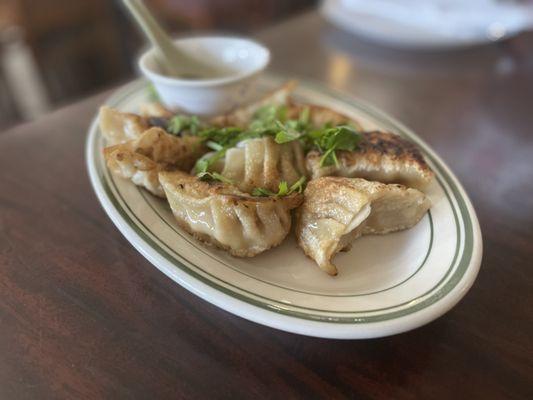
119, 127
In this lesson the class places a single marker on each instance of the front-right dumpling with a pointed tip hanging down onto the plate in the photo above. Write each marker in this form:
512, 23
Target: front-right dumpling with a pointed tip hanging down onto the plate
337, 210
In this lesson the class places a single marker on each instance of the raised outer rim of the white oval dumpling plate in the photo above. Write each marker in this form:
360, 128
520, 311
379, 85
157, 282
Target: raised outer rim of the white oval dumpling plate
323, 323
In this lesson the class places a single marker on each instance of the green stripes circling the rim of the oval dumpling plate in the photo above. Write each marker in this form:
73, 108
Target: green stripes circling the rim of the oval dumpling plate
418, 303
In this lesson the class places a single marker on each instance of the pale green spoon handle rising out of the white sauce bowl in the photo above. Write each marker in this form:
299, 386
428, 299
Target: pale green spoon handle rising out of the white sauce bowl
157, 36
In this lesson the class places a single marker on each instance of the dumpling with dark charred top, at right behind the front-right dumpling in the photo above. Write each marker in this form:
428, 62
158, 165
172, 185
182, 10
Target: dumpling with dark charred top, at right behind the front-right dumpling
379, 156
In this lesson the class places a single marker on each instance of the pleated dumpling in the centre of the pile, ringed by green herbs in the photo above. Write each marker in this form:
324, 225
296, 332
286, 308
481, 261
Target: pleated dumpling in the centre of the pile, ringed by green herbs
263, 163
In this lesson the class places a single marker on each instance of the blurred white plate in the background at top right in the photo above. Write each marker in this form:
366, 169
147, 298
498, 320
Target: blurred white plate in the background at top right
430, 24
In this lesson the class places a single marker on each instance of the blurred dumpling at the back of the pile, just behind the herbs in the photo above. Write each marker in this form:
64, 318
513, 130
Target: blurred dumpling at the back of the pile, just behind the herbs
241, 117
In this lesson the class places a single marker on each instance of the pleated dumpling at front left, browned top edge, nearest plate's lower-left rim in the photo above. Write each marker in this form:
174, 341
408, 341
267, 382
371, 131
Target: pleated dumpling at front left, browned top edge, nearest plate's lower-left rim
221, 215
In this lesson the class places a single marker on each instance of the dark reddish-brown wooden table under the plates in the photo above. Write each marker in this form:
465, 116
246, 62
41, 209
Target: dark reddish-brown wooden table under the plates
83, 315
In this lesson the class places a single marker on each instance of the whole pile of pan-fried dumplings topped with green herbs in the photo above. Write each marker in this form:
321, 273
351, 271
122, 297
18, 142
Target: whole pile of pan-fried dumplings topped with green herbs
238, 181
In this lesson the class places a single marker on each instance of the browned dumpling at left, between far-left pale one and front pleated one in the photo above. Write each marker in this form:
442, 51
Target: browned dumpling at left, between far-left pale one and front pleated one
153, 151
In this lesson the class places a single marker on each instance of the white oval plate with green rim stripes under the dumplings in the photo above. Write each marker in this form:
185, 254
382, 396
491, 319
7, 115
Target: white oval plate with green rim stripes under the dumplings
386, 284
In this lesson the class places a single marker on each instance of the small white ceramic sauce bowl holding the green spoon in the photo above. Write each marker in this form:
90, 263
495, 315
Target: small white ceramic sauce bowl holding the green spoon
238, 63
